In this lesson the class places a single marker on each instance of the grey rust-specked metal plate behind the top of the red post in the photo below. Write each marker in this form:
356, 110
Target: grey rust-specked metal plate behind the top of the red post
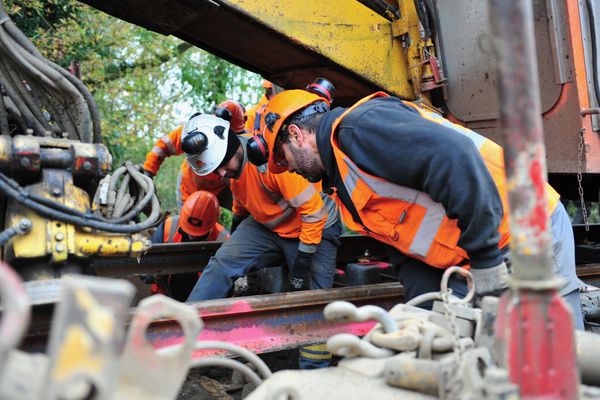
465, 37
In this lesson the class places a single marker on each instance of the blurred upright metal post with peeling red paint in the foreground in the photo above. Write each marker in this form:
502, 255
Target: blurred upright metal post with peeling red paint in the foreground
534, 323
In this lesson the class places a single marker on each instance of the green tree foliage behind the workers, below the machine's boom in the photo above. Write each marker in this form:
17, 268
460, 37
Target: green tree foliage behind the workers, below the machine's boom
145, 84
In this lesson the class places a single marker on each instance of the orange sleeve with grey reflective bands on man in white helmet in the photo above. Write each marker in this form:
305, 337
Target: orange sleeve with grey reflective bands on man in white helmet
305, 197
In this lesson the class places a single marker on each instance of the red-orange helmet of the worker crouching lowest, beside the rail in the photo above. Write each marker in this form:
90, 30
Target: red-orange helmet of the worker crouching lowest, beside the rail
199, 213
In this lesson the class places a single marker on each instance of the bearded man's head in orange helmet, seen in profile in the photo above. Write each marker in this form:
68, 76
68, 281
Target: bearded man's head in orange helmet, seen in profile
289, 124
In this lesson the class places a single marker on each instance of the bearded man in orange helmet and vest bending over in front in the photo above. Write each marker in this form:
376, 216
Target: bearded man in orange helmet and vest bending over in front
433, 191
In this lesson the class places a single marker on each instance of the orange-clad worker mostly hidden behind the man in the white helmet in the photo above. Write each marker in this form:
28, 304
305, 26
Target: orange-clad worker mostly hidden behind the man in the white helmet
187, 181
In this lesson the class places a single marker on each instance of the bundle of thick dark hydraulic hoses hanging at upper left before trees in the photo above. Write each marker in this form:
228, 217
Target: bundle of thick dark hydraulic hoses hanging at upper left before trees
49, 100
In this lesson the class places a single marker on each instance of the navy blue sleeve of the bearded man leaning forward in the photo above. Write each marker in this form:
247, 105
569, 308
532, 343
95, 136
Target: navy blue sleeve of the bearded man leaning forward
389, 139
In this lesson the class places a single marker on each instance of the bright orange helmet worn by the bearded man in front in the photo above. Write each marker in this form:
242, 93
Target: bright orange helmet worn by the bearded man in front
278, 110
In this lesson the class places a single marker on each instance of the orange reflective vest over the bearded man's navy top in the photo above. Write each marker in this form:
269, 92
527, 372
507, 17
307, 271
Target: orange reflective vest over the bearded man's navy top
408, 219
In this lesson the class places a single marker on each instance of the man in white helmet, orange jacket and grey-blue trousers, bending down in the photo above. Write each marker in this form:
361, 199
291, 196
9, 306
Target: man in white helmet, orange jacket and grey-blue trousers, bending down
274, 217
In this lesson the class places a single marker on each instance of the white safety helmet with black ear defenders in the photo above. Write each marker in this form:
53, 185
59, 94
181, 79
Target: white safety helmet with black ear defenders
204, 142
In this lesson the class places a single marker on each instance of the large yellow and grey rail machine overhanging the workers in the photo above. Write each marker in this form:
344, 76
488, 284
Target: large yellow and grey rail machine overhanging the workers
436, 51
